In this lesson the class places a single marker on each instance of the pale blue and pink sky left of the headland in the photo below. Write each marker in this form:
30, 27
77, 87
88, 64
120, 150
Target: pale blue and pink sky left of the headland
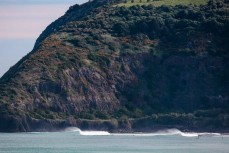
22, 21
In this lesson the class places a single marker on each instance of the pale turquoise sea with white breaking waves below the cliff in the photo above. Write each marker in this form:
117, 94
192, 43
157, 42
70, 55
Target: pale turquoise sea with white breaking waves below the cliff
77, 141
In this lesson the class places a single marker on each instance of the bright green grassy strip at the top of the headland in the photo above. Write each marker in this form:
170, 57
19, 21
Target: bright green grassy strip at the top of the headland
165, 2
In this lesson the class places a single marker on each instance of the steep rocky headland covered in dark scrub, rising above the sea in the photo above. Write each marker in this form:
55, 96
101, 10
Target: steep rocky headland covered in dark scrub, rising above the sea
103, 66
